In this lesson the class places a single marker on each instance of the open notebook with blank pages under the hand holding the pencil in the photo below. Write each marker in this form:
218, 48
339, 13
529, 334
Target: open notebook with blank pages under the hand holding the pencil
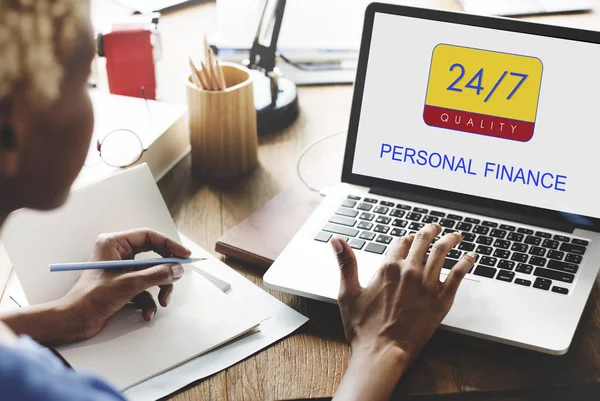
128, 351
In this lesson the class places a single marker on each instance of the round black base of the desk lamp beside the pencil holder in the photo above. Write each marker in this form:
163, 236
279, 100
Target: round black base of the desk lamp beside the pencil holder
274, 112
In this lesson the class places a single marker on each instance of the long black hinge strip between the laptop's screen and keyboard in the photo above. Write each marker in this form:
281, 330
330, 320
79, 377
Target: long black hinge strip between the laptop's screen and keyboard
533, 220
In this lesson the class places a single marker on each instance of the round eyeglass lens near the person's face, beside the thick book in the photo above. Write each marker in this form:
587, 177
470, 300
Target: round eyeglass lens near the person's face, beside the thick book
121, 148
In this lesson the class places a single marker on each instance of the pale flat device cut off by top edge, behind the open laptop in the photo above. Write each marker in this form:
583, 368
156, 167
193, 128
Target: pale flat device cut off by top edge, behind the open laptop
525, 7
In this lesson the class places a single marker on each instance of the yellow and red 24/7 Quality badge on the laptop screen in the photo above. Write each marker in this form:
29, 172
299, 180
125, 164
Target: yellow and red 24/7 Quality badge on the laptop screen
483, 92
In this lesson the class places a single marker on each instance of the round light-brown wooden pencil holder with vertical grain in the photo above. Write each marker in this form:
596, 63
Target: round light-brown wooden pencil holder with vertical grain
223, 126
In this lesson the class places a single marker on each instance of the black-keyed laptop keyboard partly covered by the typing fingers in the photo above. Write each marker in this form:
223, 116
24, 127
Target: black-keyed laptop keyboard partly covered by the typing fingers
506, 252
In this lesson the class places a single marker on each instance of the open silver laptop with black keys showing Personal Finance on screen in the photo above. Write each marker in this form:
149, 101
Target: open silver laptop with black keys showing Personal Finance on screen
488, 127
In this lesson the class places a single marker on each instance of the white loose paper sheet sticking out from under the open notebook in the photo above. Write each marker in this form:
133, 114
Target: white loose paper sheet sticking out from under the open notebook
284, 321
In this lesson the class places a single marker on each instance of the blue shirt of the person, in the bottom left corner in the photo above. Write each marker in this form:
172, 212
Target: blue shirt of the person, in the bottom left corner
29, 372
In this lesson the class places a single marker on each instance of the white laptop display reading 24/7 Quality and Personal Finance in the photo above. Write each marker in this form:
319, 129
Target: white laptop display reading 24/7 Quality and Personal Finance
496, 114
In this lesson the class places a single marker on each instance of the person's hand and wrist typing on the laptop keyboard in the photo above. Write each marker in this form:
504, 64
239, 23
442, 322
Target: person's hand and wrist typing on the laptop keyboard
388, 322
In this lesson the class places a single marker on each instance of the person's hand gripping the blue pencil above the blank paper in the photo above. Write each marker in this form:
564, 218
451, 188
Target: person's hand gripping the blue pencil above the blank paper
99, 294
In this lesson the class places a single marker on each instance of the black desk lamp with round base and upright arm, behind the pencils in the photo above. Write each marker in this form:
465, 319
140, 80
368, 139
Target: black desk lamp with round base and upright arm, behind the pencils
275, 97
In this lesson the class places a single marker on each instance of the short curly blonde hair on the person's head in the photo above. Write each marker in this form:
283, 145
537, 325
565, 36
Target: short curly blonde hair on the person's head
36, 36
